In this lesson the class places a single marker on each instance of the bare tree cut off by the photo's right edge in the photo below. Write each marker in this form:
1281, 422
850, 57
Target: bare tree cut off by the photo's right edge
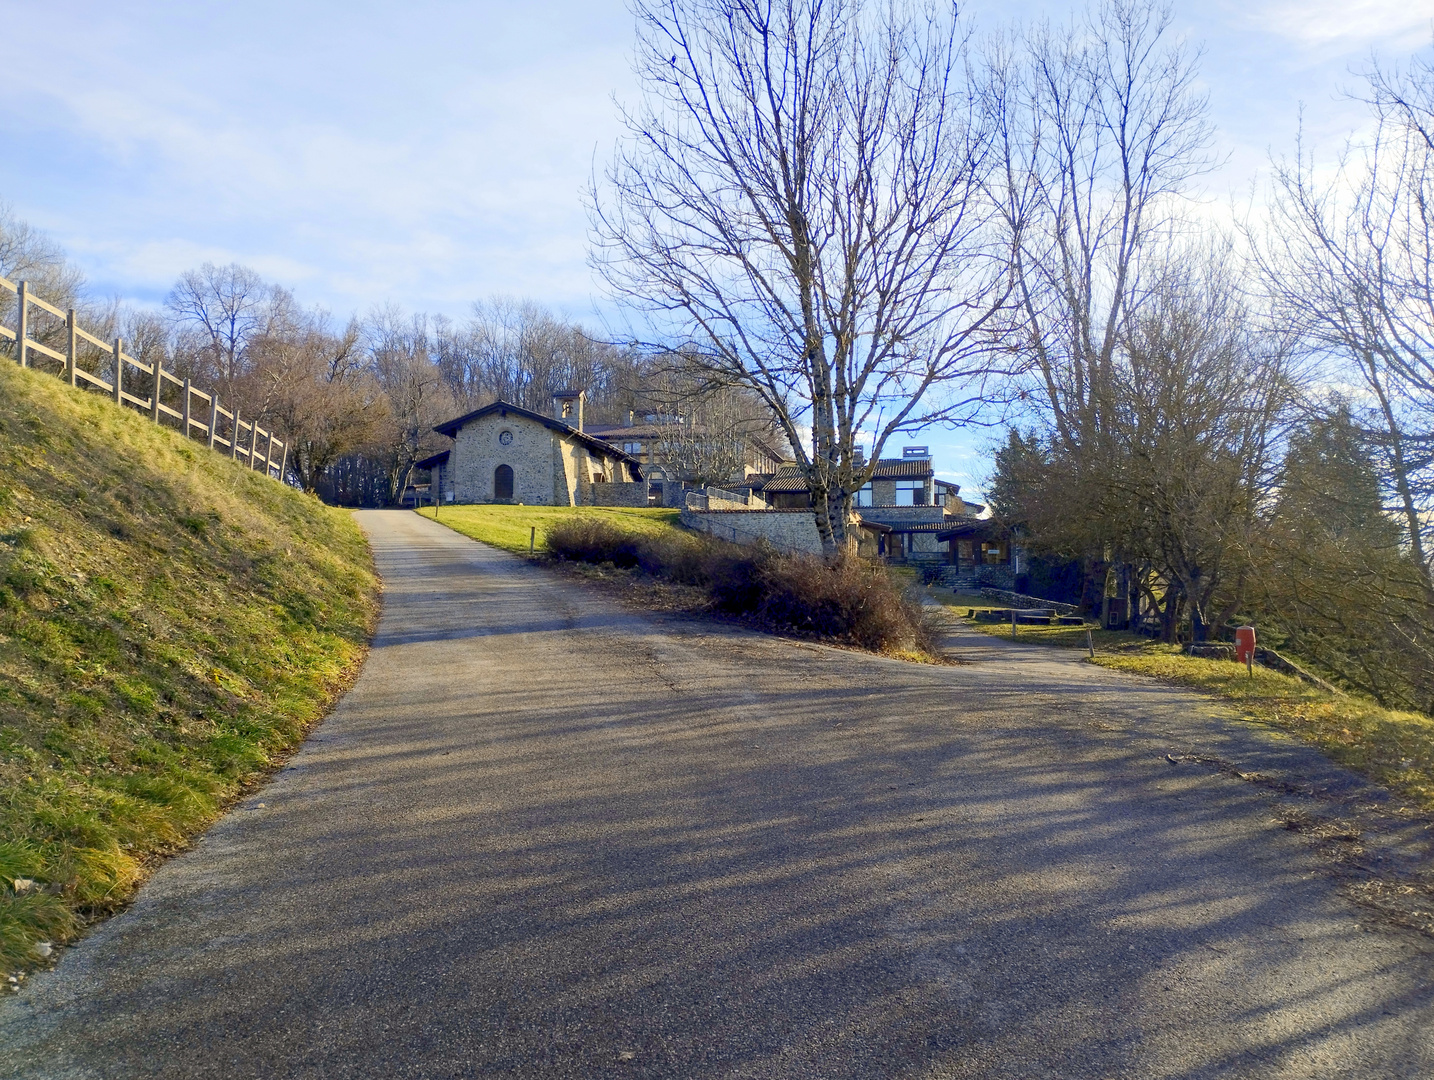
1352, 263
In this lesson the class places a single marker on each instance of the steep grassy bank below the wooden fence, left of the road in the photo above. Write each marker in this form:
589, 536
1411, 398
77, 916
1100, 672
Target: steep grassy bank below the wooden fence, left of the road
170, 626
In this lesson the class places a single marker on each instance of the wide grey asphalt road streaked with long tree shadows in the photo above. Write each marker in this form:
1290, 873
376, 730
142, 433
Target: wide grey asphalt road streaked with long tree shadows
544, 837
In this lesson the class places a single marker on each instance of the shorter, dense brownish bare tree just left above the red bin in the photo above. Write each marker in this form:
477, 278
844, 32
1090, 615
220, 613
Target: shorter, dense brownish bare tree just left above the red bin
1201, 402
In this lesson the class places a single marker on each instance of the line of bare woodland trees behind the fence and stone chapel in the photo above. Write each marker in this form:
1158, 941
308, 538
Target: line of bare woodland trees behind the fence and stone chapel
358, 401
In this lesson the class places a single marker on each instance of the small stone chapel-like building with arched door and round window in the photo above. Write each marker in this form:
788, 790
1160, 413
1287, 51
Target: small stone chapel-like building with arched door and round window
508, 454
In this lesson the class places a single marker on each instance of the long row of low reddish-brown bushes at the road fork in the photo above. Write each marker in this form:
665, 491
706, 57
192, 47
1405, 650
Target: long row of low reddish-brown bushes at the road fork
842, 600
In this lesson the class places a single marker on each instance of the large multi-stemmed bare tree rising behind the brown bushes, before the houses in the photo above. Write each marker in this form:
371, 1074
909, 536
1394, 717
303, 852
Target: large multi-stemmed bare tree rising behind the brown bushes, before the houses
801, 203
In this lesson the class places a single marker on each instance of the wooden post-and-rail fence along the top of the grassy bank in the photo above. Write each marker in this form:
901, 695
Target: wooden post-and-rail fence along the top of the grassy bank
127, 372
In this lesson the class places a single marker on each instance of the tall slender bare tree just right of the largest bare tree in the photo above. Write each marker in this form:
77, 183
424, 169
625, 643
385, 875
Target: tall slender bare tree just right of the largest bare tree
1101, 133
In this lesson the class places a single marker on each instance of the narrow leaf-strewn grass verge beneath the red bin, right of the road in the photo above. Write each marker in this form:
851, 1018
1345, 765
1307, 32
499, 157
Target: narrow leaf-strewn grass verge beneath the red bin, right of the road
1393, 748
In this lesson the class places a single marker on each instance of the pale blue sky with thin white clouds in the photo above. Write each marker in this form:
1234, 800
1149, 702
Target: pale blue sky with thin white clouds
432, 154
